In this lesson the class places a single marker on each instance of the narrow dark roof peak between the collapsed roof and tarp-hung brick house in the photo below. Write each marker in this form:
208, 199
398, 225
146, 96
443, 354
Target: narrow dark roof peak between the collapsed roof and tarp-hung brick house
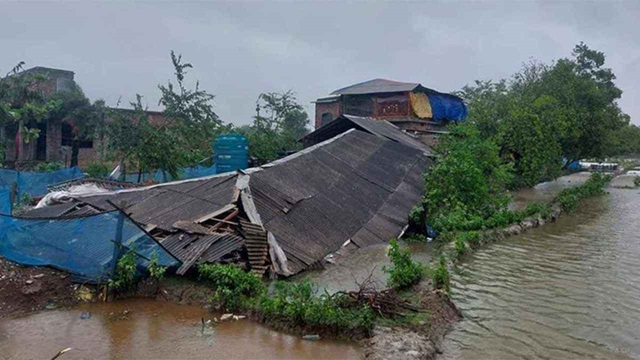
377, 127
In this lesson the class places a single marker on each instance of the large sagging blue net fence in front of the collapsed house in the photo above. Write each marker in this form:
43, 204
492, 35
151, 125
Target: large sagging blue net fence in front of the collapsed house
87, 247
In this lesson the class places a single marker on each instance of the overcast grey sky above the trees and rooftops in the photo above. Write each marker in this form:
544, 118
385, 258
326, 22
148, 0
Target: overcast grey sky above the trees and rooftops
240, 49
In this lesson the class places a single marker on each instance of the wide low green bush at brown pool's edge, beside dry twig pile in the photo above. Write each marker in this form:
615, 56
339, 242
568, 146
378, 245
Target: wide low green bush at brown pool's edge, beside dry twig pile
298, 302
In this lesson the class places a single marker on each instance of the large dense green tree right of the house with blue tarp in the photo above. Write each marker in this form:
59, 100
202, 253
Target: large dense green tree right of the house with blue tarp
545, 114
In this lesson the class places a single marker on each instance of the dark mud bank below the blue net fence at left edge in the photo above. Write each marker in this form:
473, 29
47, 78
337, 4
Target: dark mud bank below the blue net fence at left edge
28, 289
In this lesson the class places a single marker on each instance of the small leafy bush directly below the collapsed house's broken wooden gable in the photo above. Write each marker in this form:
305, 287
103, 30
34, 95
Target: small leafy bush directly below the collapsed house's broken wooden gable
233, 287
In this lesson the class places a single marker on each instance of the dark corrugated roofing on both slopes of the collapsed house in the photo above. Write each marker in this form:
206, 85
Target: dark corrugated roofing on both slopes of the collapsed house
355, 186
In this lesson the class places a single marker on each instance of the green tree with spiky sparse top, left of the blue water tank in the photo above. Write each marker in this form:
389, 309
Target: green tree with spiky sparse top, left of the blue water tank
184, 138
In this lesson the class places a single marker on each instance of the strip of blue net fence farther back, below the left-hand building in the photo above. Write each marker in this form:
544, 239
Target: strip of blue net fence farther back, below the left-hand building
35, 183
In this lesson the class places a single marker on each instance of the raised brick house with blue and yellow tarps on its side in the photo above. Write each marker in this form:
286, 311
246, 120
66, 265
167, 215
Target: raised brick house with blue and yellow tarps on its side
410, 106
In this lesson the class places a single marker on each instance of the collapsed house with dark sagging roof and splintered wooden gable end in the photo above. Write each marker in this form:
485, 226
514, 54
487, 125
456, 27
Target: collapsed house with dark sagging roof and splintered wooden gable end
355, 188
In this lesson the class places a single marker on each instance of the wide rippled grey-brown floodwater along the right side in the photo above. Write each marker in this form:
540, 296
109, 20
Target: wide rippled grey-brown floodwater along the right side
567, 290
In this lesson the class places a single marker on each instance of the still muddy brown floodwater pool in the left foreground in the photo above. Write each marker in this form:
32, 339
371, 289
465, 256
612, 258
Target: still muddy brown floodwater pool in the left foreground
146, 329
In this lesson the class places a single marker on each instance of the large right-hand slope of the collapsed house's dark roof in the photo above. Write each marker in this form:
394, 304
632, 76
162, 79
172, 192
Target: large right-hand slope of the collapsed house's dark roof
317, 200
